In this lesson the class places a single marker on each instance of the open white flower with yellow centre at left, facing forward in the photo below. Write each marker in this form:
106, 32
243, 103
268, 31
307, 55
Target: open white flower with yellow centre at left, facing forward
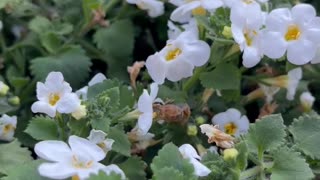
55, 95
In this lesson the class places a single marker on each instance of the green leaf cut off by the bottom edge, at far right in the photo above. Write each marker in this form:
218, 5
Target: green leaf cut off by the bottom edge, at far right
289, 165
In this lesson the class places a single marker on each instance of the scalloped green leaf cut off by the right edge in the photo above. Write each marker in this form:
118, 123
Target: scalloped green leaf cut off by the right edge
306, 134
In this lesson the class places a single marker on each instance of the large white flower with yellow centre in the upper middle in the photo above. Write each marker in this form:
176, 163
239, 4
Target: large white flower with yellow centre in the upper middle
178, 58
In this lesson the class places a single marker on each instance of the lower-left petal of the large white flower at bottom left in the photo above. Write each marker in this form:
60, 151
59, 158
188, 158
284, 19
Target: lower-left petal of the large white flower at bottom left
56, 170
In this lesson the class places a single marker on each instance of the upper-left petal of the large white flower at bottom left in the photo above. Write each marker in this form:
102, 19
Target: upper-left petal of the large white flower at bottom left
56, 151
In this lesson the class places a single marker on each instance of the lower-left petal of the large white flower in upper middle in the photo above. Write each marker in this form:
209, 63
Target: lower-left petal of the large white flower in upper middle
156, 68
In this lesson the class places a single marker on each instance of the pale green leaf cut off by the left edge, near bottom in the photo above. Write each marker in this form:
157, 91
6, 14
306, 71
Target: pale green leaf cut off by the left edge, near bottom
12, 155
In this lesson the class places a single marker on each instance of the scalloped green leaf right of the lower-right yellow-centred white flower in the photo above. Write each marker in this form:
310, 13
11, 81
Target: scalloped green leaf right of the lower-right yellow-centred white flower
266, 134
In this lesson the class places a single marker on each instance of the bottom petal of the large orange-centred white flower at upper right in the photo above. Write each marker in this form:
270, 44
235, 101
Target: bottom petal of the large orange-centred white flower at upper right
301, 52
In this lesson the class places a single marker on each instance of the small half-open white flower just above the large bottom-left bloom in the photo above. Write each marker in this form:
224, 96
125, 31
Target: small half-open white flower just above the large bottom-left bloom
98, 137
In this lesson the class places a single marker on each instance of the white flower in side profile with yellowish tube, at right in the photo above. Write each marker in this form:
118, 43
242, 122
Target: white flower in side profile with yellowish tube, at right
289, 81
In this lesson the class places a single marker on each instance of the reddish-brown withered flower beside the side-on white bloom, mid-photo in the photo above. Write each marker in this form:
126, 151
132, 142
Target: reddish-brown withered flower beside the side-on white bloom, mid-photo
172, 113
